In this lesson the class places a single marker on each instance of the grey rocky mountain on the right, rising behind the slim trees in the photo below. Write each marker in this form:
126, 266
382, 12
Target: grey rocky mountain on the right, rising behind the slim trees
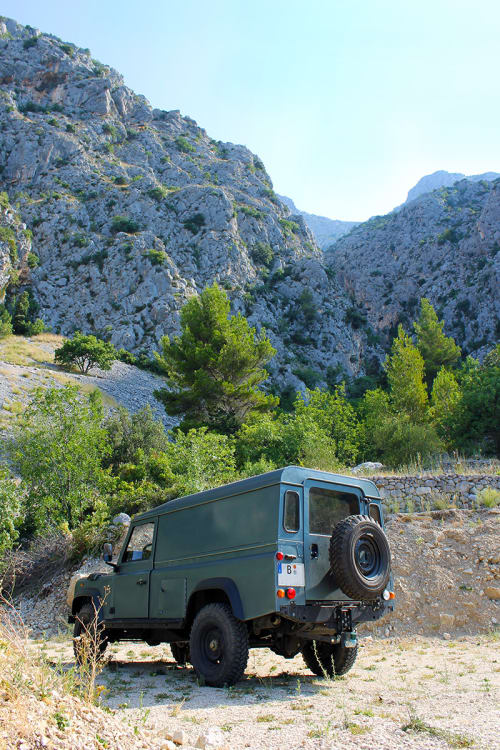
443, 245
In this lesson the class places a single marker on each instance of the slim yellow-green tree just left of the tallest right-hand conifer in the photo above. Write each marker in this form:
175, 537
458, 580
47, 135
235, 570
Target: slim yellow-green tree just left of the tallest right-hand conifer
405, 371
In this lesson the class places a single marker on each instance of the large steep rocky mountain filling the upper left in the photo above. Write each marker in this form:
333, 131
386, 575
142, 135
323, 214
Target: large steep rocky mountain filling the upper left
133, 209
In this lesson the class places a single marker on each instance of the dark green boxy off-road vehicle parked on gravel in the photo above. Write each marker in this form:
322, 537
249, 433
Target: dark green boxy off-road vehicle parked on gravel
291, 560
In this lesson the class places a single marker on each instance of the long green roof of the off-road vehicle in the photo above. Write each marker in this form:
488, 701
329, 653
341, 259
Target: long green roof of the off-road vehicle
294, 475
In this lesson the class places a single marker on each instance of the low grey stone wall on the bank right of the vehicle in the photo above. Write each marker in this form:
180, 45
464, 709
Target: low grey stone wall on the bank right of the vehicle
427, 492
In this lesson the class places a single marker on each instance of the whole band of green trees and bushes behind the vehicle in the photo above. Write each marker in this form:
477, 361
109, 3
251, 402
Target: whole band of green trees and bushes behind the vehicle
78, 468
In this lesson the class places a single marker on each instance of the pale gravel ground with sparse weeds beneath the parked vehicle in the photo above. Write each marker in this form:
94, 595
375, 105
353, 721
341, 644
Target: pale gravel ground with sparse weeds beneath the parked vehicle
449, 690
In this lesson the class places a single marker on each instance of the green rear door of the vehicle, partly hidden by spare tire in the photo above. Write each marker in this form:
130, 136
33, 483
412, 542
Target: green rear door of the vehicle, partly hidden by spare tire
325, 504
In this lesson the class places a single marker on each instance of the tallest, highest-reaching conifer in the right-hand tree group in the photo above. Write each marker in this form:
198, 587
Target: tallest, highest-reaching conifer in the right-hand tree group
436, 348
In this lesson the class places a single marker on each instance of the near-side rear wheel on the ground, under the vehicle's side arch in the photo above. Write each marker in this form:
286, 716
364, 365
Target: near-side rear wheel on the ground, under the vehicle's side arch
218, 645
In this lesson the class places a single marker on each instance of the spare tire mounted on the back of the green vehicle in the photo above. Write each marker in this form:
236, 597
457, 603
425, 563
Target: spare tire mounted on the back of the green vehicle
360, 557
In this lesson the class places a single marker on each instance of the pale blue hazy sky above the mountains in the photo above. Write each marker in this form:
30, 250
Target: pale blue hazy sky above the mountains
347, 102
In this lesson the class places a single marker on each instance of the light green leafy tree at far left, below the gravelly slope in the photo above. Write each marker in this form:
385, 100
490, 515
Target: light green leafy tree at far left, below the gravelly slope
57, 448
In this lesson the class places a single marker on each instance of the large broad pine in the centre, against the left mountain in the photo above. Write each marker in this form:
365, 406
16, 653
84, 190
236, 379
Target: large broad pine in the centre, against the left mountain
215, 366
